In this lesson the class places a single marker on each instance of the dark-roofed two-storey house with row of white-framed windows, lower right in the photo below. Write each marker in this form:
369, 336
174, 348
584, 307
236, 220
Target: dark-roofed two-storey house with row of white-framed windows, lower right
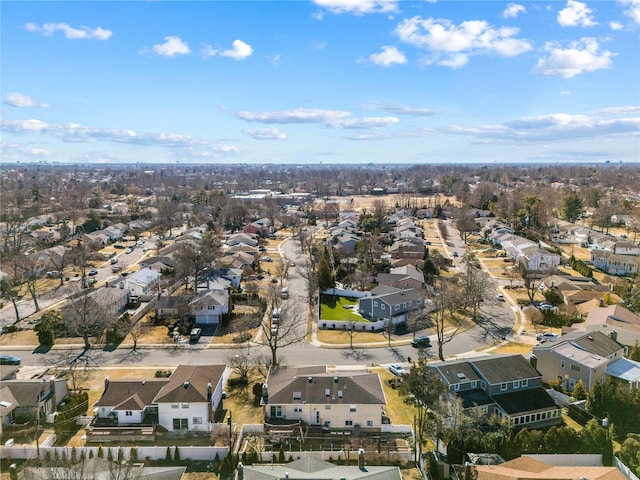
508, 386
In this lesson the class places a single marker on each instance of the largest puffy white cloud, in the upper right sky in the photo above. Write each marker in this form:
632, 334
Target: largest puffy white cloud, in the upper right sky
452, 45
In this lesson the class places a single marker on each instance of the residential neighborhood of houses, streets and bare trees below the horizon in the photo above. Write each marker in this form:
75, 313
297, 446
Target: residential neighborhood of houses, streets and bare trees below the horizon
239, 330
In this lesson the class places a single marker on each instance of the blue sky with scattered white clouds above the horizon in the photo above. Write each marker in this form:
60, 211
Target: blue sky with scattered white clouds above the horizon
331, 81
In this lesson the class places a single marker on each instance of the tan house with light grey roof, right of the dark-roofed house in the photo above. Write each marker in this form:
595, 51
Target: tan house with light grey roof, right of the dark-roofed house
577, 356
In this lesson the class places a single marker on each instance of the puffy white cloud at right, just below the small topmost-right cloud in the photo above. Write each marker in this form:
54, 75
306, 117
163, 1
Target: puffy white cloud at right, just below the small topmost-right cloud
582, 56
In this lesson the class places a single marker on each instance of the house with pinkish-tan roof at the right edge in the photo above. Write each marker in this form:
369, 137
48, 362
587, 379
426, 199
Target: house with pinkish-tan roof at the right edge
612, 318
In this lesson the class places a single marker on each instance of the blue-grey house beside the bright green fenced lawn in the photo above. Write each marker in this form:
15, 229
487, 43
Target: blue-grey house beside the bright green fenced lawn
390, 304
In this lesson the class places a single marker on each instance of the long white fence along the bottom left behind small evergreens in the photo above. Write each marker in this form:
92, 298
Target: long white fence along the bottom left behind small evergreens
142, 452
